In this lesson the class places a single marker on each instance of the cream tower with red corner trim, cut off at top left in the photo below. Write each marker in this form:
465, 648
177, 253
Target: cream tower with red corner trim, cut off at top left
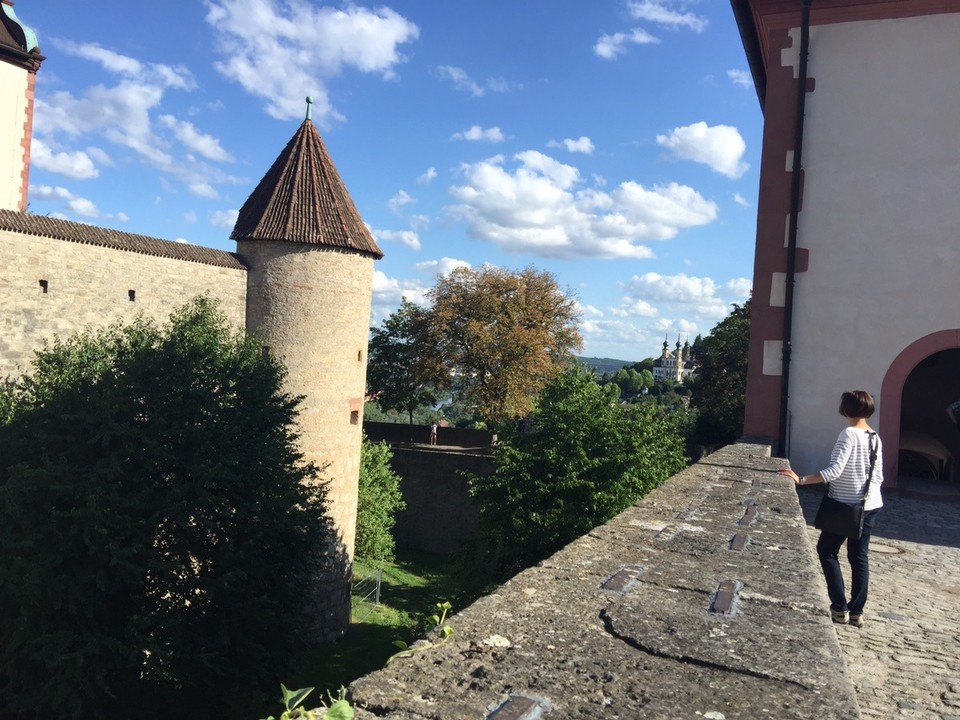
20, 59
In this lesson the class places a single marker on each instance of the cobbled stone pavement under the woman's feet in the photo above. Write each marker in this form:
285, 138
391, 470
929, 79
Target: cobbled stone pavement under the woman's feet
905, 661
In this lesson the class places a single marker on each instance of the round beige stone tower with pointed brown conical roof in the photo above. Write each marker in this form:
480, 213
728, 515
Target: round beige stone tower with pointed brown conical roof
309, 289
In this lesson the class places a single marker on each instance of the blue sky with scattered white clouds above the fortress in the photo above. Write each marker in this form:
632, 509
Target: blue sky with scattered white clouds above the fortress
614, 143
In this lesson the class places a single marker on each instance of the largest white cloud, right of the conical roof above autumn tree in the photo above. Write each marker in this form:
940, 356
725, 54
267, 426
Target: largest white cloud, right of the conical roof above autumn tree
538, 209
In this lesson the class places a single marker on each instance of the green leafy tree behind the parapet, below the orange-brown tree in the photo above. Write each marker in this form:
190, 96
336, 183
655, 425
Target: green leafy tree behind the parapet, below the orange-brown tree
585, 460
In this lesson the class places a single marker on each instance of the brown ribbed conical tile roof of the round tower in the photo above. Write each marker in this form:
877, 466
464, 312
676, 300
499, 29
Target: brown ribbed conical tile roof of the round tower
302, 199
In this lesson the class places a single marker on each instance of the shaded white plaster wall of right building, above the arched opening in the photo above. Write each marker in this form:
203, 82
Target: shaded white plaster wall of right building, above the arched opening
881, 213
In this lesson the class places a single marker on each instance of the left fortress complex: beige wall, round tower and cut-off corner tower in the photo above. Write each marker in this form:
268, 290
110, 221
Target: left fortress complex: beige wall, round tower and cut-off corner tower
301, 278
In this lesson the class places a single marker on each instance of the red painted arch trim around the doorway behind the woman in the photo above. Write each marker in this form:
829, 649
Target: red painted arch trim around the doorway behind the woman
891, 392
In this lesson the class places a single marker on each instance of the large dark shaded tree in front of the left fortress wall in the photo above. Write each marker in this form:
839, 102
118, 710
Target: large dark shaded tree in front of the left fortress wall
157, 522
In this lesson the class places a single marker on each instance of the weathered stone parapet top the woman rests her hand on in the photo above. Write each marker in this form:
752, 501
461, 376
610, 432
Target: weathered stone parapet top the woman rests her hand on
704, 600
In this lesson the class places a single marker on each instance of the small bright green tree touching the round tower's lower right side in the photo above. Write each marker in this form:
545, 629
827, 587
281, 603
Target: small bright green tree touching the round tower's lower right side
378, 503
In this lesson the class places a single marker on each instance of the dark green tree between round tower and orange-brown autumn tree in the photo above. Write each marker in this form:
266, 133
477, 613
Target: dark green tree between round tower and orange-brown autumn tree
402, 373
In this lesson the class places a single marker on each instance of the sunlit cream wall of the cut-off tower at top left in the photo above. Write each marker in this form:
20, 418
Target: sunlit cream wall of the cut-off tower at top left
13, 118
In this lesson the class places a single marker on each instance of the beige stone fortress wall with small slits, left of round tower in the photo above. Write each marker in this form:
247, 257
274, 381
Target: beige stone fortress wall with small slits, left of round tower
88, 285
